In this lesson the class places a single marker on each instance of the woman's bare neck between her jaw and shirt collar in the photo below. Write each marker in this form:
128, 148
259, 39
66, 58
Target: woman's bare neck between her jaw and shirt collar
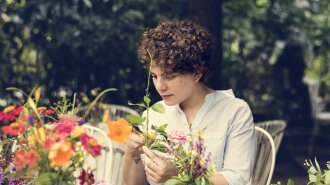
197, 98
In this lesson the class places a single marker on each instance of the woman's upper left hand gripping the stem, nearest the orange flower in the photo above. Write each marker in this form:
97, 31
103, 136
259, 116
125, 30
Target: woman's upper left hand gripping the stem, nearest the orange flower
134, 144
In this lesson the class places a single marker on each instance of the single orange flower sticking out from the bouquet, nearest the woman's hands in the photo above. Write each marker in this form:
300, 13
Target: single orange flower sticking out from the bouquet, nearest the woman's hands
119, 130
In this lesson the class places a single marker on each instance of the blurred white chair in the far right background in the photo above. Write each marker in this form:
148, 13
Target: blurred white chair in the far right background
319, 117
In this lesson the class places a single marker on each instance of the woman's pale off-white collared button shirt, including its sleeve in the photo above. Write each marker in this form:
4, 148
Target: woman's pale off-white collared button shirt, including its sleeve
229, 129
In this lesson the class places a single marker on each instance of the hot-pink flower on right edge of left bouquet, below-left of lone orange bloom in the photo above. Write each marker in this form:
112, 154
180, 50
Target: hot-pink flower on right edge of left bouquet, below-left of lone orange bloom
90, 144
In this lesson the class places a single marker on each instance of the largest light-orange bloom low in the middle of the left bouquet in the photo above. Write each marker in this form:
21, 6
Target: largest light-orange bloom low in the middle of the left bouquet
60, 153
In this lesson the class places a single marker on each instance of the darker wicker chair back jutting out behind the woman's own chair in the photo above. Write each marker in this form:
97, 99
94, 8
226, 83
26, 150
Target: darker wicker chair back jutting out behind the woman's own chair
275, 128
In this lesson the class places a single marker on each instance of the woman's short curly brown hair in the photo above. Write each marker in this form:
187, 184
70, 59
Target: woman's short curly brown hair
180, 46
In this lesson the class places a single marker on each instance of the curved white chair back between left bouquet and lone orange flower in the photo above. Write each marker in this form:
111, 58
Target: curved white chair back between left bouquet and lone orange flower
103, 163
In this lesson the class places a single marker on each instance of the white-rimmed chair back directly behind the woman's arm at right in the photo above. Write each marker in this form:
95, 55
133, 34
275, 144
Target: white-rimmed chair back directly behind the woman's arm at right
265, 158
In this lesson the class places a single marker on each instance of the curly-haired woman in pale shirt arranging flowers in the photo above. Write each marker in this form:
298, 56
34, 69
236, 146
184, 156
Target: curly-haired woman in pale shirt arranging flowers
180, 51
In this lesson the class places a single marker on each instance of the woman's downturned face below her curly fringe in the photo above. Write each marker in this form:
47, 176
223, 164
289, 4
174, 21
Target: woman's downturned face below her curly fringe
174, 88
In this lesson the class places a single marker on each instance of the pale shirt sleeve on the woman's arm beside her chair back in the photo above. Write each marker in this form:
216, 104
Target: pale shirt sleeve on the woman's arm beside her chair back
240, 147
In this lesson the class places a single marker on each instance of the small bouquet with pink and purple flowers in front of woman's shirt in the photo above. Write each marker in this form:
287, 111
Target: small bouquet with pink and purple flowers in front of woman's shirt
193, 163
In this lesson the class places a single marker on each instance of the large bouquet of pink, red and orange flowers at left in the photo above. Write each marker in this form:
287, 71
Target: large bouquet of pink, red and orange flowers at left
50, 143
